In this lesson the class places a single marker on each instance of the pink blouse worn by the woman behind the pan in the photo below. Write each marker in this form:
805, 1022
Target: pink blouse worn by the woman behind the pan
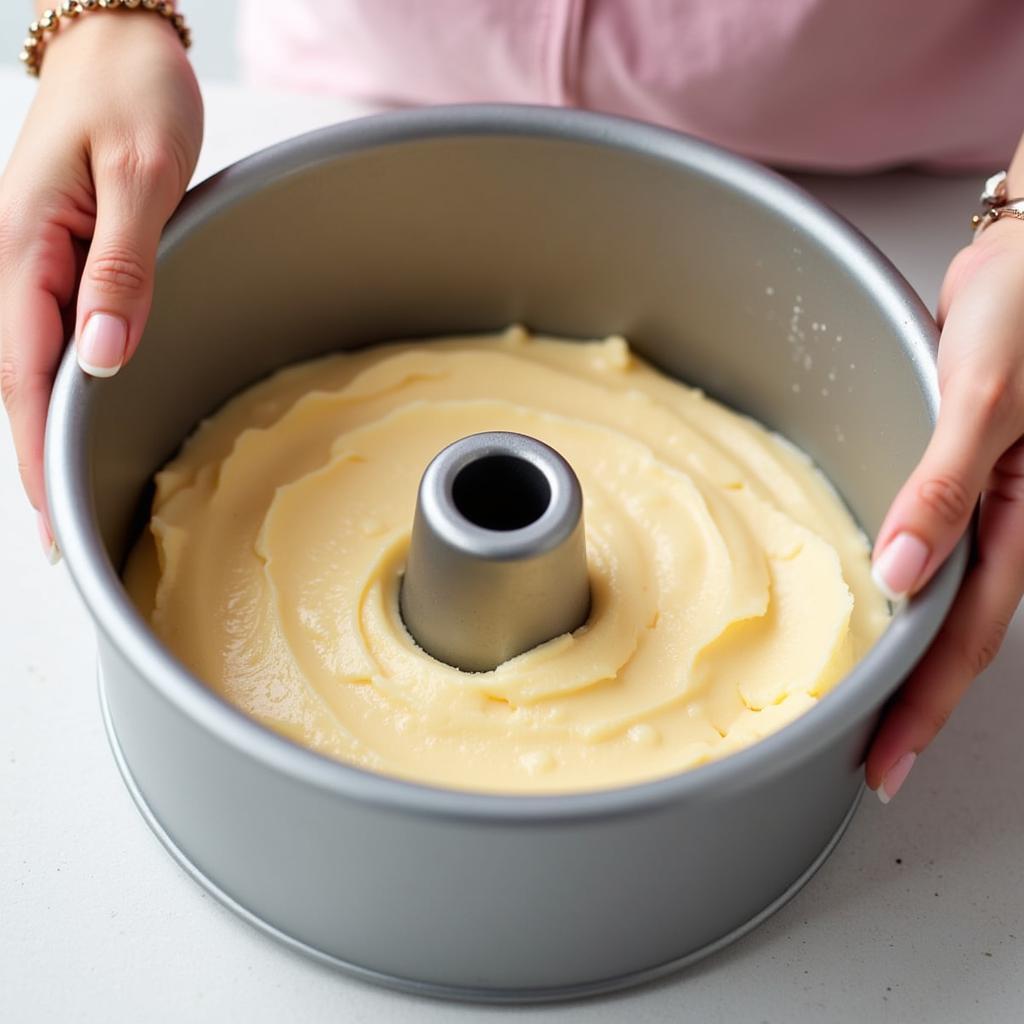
815, 84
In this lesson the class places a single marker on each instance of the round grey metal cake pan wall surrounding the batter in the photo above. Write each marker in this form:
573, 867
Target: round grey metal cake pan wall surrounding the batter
457, 220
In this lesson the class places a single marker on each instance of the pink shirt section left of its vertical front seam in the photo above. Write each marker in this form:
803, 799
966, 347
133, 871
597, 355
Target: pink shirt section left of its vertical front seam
406, 52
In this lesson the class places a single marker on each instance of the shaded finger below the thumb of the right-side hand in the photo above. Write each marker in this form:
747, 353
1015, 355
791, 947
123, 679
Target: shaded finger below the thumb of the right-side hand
969, 639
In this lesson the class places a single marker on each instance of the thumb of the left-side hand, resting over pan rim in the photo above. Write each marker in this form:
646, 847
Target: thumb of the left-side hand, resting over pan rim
135, 199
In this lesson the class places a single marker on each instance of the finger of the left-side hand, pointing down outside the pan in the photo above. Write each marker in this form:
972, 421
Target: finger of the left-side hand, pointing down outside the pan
32, 337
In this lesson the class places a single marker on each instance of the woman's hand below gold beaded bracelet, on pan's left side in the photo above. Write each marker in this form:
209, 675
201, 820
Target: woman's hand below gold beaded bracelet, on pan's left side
105, 155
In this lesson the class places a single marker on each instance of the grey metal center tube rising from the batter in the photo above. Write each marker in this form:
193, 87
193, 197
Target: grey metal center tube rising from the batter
498, 560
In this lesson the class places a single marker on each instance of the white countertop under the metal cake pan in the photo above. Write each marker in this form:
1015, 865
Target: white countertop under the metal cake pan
918, 917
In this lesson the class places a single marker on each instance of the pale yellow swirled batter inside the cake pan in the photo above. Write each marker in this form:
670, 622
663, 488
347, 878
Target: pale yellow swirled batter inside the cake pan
731, 586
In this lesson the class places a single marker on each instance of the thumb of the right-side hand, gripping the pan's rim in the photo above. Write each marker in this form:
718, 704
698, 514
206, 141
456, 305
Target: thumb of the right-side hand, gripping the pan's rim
935, 505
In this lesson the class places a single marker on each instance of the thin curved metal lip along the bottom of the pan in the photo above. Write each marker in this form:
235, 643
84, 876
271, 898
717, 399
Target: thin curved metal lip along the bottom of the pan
468, 995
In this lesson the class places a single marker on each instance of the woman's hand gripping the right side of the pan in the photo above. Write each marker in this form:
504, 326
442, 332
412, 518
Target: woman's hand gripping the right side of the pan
976, 451
